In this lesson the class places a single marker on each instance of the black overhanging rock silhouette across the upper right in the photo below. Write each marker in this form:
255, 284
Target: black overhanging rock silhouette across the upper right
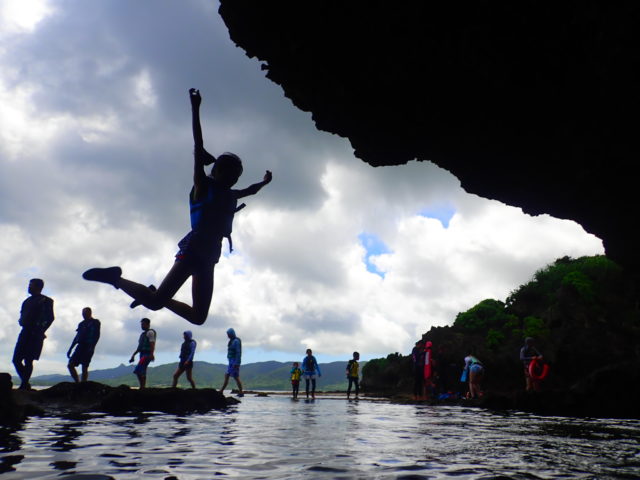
533, 104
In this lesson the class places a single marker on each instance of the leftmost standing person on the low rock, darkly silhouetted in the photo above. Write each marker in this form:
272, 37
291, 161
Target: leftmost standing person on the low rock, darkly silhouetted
36, 316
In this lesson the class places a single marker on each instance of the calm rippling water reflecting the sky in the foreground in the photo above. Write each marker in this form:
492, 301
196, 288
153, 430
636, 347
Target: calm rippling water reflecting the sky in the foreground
276, 438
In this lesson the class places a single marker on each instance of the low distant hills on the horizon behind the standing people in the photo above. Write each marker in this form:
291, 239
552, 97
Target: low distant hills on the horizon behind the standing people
270, 375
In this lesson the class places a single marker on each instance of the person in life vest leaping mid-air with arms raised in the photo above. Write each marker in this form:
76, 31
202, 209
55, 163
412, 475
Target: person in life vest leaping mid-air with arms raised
212, 205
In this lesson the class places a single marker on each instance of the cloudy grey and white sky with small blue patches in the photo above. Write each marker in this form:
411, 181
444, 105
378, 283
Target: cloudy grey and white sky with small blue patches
95, 170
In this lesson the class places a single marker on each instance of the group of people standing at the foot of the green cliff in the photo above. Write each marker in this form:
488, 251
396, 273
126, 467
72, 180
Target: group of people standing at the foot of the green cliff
425, 371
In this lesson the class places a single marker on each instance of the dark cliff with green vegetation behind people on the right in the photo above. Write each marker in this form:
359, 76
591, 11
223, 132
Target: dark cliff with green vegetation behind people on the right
582, 312
